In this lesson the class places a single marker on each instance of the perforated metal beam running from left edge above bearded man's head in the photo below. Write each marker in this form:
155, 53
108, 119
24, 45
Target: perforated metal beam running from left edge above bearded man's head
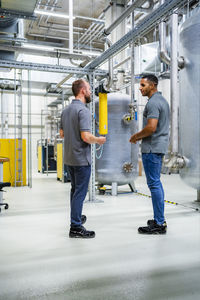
48, 68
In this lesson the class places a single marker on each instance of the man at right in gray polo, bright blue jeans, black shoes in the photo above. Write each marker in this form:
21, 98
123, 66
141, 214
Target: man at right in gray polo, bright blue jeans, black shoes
154, 136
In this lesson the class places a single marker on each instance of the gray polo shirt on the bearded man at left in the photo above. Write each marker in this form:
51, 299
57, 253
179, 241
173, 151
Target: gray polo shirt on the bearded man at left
74, 119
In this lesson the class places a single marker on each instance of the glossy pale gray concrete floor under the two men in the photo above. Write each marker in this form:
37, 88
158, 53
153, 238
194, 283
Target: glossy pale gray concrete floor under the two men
39, 261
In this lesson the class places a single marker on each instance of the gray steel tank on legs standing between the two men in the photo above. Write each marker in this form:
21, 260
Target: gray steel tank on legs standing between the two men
119, 160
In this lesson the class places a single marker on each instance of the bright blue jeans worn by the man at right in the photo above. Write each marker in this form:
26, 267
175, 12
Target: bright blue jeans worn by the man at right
152, 163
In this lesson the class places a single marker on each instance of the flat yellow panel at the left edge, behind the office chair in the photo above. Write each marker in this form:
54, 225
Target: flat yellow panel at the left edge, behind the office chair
8, 148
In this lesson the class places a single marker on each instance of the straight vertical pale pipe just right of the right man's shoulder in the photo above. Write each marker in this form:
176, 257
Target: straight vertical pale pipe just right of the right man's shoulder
174, 83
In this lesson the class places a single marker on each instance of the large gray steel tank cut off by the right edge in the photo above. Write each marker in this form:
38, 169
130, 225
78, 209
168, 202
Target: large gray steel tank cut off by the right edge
190, 100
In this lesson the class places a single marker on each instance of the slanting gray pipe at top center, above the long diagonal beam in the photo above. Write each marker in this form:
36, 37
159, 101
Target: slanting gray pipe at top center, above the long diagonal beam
125, 14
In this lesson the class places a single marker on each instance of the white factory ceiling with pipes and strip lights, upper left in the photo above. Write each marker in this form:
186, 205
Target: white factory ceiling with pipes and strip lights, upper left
46, 23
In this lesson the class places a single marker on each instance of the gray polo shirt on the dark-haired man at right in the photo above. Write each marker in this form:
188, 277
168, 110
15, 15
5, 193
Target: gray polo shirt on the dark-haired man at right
157, 107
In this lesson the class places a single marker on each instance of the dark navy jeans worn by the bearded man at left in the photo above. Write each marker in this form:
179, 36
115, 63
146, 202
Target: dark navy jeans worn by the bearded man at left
80, 176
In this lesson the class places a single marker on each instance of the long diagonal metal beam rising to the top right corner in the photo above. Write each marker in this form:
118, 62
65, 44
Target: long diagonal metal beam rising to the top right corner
146, 24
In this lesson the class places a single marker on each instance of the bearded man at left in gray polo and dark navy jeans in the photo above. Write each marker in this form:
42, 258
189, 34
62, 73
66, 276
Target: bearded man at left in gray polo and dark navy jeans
75, 129
